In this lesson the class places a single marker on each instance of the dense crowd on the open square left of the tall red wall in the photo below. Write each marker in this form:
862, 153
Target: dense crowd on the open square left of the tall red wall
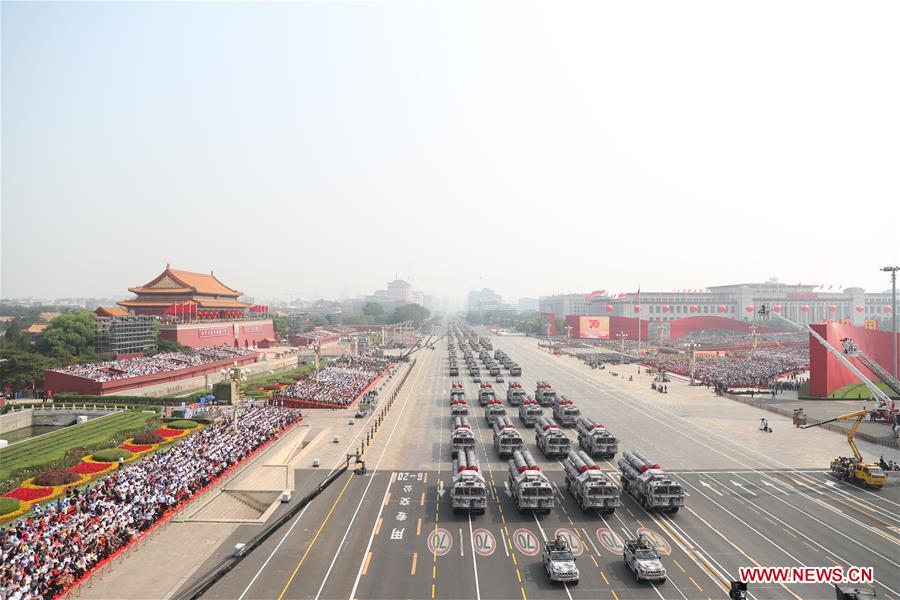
757, 368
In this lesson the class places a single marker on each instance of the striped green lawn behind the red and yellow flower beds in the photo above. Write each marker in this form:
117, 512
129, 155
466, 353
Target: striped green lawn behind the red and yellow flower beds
52, 447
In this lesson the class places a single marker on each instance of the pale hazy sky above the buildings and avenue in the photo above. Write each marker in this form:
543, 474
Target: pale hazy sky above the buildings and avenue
319, 149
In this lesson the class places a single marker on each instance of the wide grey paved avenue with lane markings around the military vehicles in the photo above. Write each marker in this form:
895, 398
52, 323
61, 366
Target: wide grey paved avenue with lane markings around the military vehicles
391, 534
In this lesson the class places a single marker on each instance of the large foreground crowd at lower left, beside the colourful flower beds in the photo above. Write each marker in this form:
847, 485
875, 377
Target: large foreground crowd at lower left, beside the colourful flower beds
42, 555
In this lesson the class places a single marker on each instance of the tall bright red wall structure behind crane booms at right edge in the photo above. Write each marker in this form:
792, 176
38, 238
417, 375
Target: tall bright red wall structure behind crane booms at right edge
827, 374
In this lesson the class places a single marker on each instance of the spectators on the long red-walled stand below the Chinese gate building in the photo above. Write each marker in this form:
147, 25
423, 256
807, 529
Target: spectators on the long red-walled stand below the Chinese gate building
150, 365
